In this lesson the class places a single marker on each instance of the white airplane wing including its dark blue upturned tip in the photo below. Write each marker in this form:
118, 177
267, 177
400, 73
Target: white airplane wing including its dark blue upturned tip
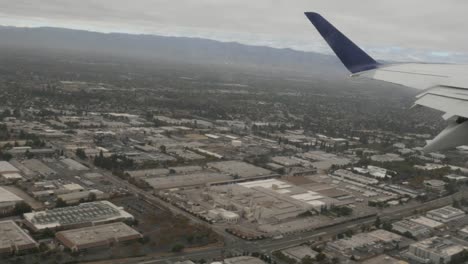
445, 85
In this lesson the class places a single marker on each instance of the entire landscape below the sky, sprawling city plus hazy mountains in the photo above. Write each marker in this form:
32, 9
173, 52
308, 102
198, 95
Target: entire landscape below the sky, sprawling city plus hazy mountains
192, 153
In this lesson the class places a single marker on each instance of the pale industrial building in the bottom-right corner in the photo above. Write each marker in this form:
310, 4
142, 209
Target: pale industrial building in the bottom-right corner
435, 250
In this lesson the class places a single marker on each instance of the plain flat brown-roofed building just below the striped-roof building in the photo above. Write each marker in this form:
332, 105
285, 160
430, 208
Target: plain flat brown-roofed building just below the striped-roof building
97, 236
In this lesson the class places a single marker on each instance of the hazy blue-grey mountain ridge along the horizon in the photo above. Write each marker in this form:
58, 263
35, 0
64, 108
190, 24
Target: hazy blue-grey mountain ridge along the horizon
180, 49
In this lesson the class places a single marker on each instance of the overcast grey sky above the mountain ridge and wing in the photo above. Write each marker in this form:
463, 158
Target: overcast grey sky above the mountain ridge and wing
434, 30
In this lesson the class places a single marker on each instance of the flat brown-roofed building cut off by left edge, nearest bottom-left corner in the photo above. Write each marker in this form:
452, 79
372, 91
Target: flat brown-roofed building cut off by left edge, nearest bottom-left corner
13, 239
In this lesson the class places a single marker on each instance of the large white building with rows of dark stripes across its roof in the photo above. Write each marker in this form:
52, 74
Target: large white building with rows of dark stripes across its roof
85, 214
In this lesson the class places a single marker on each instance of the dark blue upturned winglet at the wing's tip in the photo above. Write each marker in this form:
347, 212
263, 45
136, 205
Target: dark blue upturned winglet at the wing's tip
353, 57
